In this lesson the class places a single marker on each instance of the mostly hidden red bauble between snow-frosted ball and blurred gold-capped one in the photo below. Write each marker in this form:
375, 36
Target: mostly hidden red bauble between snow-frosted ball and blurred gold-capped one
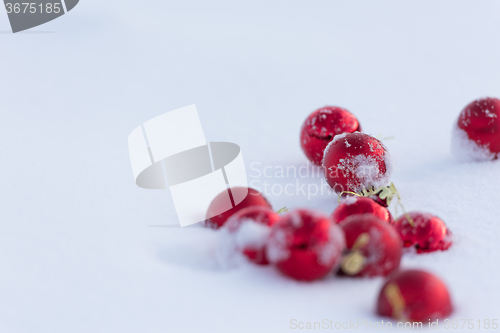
356, 205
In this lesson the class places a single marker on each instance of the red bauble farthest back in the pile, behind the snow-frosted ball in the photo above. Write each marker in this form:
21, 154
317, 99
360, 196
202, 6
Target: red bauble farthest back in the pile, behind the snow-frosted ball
321, 127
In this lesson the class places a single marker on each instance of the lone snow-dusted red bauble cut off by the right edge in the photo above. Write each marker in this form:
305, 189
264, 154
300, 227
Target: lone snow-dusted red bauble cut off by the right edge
476, 135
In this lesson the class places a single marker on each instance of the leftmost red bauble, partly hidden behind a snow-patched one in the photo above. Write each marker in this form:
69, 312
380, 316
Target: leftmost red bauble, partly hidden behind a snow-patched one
254, 198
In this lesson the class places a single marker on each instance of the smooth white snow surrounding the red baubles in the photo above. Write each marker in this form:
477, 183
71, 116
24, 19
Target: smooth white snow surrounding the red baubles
76, 250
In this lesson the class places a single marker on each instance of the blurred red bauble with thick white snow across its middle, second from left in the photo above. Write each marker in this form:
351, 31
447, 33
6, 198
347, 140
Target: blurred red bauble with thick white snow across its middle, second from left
251, 227
